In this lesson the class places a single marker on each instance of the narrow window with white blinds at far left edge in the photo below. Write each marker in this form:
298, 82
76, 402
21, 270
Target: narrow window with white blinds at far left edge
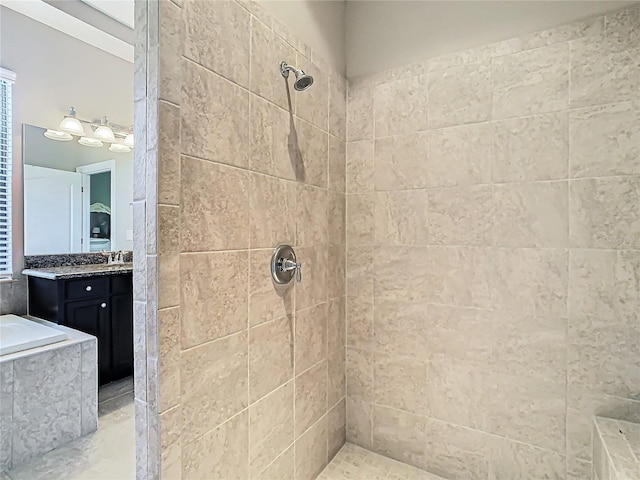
6, 83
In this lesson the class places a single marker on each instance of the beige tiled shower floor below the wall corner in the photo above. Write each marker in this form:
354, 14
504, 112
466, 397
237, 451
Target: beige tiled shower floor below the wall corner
356, 463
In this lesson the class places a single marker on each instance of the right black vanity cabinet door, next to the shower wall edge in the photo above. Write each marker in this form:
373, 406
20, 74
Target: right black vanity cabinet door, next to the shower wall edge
122, 335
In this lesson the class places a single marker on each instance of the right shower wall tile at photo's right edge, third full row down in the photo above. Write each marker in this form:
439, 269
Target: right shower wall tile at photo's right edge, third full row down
604, 213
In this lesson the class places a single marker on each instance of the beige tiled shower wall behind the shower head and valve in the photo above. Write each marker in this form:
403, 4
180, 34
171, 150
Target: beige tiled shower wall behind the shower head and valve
249, 378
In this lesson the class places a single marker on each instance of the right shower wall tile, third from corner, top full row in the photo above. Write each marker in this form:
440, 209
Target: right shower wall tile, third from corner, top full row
459, 95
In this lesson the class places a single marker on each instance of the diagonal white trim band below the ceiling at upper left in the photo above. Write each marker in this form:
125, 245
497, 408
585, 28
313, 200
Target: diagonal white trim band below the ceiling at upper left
54, 18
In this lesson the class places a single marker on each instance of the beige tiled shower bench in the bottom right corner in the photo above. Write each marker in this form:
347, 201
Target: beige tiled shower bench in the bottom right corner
616, 454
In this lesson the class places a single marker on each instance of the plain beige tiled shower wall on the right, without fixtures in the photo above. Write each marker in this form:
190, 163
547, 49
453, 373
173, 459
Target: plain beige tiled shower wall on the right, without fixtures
493, 253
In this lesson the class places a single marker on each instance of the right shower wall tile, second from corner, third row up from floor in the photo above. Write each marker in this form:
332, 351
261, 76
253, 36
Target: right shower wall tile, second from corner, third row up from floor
401, 327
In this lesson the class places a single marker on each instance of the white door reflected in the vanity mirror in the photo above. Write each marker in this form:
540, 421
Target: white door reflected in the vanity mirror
52, 211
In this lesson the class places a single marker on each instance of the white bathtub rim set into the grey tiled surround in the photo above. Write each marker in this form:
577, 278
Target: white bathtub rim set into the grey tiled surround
18, 334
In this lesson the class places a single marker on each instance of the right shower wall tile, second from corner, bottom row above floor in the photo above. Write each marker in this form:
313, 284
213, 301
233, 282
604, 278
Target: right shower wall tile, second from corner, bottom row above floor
399, 435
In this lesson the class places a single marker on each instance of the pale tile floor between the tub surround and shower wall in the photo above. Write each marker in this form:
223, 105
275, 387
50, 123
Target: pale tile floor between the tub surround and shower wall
107, 454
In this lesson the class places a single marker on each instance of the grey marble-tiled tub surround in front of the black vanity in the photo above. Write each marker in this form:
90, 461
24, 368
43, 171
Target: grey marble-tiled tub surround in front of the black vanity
48, 398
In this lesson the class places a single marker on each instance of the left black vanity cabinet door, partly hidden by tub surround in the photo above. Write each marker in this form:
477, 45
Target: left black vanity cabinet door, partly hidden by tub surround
92, 317
